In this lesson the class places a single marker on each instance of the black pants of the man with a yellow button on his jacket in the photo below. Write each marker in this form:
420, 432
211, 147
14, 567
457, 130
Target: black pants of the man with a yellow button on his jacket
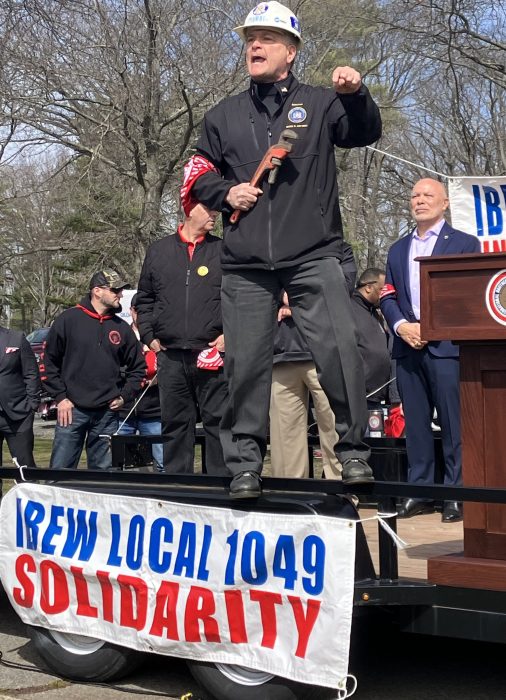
186, 391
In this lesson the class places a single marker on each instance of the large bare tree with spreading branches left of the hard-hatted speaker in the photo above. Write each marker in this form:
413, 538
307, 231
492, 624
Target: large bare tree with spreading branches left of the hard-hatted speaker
120, 85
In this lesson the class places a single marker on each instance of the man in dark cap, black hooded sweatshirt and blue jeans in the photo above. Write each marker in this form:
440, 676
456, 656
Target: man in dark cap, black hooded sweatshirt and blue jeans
85, 350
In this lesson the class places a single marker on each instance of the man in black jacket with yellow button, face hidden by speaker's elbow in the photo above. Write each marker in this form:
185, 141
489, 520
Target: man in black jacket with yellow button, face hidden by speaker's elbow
179, 317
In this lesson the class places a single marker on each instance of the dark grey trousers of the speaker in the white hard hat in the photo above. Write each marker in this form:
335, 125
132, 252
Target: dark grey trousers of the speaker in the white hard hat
322, 311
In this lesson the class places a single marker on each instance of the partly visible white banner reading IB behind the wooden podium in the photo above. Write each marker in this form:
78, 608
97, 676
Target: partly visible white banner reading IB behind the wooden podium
478, 206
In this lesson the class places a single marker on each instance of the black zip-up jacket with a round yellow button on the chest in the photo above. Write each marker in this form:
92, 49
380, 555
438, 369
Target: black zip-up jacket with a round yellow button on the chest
178, 299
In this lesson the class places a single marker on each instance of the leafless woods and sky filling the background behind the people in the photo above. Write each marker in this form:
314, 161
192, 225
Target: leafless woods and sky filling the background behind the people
103, 99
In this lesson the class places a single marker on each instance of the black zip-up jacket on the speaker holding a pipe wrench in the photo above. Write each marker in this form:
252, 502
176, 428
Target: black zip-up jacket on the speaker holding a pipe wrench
298, 218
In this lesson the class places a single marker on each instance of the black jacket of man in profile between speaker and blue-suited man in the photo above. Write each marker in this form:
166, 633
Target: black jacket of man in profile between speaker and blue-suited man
373, 346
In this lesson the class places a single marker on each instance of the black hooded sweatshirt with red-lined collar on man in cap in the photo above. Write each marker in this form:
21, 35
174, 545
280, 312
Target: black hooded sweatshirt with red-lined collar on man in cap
84, 355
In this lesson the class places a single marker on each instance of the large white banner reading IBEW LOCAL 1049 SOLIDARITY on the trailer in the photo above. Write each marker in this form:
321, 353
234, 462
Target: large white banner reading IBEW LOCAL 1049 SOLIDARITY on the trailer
273, 592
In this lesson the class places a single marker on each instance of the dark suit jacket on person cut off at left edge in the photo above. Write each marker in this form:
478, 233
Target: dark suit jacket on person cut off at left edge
20, 386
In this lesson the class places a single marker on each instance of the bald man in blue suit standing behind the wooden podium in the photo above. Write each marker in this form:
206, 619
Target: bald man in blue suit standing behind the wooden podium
427, 373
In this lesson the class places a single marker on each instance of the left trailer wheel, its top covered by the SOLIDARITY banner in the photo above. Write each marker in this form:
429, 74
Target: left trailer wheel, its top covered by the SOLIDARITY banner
83, 658
